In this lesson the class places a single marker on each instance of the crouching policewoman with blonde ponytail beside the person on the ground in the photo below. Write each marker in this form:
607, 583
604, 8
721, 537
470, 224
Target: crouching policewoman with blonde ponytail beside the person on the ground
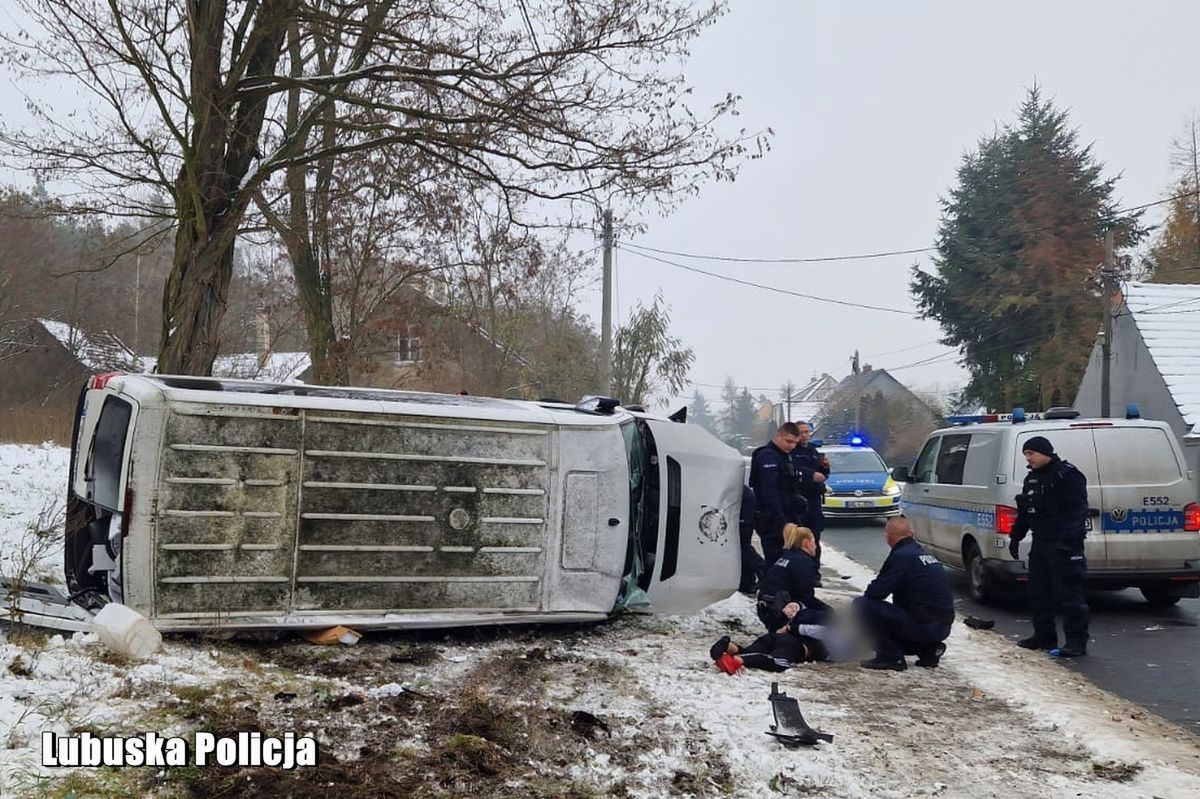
791, 580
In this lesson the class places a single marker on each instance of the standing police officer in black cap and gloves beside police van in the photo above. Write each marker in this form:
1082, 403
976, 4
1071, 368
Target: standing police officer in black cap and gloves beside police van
1054, 507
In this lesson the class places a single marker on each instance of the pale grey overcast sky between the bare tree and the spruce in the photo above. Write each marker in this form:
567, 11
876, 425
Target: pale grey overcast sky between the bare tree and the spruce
873, 106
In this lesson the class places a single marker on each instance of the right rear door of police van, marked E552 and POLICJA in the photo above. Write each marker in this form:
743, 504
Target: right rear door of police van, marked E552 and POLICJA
1145, 491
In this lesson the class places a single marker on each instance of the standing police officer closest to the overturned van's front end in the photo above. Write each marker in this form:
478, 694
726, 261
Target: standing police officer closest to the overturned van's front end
773, 480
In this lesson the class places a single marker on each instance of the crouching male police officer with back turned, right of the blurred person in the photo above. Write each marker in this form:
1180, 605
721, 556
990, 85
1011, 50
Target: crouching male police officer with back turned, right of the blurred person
920, 617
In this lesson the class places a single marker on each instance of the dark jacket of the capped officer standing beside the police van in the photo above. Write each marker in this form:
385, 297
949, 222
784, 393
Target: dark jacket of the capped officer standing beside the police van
1053, 503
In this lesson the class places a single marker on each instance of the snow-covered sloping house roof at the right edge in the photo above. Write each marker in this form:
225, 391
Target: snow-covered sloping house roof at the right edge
1168, 317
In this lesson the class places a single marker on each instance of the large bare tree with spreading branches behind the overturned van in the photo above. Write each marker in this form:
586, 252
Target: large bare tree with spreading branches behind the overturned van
557, 100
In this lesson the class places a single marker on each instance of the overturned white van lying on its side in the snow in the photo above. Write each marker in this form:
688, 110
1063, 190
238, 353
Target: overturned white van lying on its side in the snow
207, 503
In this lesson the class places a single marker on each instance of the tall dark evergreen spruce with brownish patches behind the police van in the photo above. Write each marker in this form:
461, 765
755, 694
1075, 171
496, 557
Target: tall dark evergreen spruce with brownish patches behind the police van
1019, 249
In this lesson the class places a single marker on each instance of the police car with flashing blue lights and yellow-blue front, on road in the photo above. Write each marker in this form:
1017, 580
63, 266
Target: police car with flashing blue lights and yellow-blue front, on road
859, 485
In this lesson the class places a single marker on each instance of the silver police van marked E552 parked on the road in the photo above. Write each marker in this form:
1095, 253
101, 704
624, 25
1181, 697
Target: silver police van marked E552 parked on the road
1144, 522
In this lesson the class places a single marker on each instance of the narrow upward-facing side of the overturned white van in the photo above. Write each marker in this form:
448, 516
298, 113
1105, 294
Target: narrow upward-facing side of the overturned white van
177, 388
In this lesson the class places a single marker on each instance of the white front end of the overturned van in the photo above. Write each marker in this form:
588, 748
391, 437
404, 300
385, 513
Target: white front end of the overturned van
698, 554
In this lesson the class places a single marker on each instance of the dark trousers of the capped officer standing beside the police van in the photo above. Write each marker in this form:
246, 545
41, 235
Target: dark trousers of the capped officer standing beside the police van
1057, 587
